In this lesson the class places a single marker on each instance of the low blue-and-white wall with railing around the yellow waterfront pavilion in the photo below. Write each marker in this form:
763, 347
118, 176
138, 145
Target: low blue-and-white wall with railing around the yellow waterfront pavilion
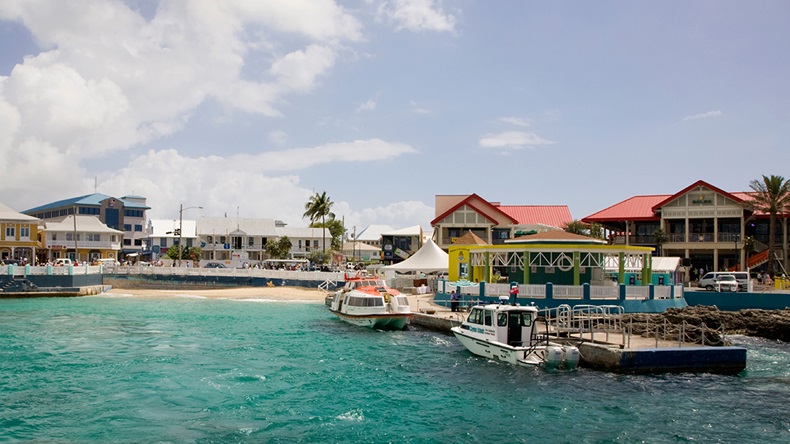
633, 299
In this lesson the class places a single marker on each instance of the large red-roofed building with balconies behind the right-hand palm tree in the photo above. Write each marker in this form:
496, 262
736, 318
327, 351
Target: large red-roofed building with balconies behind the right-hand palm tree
704, 225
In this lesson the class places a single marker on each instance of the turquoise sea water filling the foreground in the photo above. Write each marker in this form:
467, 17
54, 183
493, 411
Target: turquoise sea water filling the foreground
121, 369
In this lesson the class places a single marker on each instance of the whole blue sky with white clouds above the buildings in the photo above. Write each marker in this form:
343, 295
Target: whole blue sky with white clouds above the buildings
246, 108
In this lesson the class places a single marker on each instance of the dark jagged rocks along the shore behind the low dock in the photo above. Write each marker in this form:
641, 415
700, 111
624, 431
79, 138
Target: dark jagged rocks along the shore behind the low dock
768, 324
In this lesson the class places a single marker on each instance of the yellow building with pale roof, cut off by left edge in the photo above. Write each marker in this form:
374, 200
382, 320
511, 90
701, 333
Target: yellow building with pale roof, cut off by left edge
19, 236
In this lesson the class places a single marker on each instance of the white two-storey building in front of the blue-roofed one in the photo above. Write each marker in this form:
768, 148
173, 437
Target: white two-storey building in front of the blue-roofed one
81, 239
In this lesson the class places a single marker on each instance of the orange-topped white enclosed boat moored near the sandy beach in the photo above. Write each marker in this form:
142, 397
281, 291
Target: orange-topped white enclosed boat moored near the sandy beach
368, 302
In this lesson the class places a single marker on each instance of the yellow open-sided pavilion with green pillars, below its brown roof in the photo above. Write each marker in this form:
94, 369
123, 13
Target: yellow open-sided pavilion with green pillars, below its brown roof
541, 263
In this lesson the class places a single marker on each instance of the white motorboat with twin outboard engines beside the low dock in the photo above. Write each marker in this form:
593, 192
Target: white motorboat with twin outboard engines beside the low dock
508, 333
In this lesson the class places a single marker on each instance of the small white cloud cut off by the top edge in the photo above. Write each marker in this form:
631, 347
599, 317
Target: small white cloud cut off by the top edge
417, 15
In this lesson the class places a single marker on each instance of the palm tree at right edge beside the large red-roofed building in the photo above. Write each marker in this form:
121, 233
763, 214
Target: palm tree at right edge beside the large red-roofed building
771, 195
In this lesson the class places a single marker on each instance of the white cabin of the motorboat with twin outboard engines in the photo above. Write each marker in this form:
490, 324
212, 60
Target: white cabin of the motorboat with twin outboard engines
511, 325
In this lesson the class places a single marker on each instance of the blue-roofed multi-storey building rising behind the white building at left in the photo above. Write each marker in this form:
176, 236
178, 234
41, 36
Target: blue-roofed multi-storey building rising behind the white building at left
126, 214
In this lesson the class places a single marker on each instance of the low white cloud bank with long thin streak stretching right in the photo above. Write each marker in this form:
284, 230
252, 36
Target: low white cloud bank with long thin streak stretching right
258, 183
